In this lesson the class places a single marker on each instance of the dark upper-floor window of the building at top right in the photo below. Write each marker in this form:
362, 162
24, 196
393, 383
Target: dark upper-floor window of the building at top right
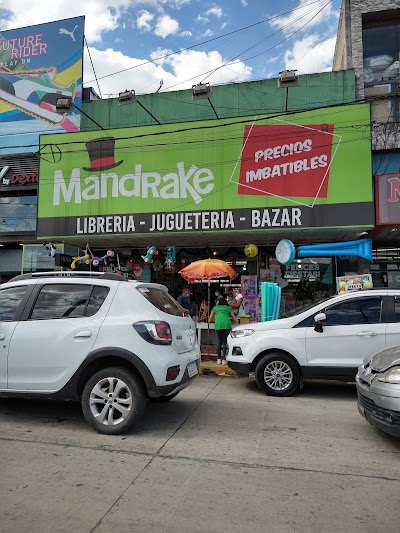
381, 48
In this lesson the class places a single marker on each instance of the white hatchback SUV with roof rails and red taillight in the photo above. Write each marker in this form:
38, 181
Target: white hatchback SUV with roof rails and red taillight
98, 338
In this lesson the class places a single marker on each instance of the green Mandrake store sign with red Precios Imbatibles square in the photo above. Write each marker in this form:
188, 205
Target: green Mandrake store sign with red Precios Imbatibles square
305, 170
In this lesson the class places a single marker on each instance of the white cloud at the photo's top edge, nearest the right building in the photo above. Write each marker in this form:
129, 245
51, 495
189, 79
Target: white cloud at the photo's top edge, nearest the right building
303, 16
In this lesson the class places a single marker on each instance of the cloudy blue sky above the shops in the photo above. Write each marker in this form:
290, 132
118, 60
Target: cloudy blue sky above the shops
165, 45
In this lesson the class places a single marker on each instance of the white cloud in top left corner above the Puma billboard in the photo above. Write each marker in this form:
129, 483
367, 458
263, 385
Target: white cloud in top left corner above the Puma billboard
99, 16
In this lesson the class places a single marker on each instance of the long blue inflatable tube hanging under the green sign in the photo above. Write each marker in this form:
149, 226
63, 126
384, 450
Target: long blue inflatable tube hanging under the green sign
361, 248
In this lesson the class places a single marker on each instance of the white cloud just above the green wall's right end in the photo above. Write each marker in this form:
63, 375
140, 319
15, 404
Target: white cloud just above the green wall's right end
311, 55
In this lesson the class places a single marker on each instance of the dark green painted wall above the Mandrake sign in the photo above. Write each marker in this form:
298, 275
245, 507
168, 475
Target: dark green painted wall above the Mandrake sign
229, 101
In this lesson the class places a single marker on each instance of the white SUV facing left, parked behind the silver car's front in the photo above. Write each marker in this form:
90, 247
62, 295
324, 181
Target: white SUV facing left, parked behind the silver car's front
327, 341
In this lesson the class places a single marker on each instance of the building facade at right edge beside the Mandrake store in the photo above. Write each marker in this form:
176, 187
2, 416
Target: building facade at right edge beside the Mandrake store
369, 42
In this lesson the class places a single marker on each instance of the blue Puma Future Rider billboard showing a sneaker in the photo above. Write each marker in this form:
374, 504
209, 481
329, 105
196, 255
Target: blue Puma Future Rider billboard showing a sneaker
38, 65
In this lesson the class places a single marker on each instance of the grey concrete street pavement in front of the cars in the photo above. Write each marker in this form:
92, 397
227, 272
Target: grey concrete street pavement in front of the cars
221, 457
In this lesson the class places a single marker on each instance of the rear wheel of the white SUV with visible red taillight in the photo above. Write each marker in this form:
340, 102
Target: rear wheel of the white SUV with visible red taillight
112, 400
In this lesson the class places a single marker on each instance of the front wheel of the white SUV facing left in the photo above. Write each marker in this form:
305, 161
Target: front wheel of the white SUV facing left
277, 374
